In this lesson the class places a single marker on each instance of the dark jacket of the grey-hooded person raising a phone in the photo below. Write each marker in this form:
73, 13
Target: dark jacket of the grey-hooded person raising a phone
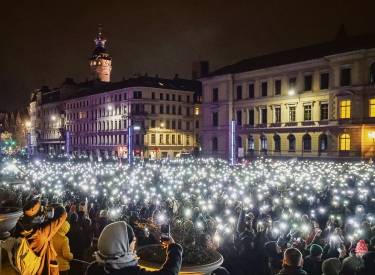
171, 266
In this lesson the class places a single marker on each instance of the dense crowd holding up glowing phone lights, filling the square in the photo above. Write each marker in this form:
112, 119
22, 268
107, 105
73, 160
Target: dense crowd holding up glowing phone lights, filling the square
263, 217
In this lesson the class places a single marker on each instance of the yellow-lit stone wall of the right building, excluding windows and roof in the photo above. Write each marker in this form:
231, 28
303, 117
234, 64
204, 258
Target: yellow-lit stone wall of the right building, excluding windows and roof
359, 93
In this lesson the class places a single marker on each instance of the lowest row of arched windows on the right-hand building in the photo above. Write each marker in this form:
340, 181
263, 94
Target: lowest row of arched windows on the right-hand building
344, 143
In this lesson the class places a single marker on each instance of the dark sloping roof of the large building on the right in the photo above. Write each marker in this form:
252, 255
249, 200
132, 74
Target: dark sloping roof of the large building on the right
341, 44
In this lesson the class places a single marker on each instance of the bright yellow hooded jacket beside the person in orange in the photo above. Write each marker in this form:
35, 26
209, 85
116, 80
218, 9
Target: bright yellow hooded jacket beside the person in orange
61, 246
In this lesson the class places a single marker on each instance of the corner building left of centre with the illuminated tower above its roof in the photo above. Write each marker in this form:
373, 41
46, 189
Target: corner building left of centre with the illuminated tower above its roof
165, 114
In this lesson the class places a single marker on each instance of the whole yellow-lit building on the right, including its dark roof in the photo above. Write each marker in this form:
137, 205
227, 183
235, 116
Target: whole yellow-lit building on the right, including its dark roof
316, 101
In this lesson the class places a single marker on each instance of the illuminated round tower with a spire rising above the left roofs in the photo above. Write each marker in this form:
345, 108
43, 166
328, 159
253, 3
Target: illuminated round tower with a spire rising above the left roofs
100, 61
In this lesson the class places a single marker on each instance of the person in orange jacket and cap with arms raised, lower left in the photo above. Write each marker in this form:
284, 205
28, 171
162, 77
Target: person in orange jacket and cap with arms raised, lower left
39, 232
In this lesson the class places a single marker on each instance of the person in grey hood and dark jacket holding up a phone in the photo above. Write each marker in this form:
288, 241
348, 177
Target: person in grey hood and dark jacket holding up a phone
116, 254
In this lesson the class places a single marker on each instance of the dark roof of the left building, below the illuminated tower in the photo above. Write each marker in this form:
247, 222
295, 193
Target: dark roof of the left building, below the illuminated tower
142, 81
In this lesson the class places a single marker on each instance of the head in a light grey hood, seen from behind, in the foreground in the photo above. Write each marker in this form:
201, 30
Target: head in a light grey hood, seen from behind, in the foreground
116, 245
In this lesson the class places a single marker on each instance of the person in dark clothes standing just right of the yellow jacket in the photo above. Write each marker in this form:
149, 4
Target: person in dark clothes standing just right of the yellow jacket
76, 243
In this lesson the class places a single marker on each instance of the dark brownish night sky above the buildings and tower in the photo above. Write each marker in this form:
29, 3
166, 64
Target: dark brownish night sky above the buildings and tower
45, 41
